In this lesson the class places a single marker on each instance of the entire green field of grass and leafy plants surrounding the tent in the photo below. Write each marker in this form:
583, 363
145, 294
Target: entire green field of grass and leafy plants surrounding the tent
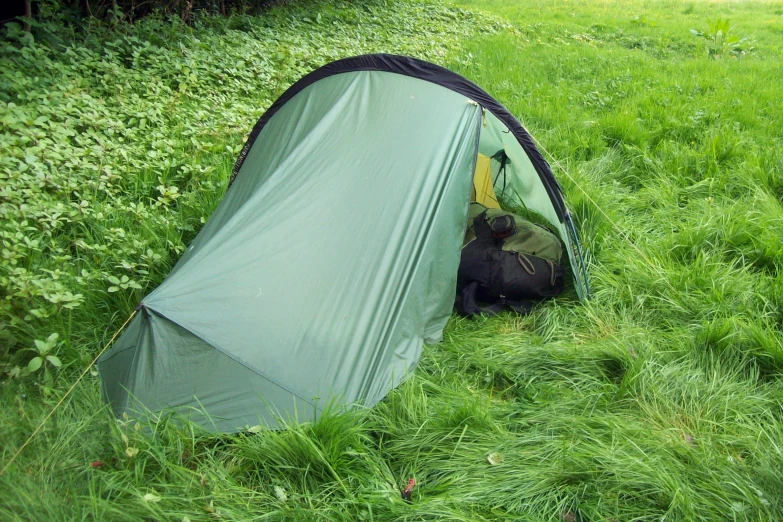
660, 399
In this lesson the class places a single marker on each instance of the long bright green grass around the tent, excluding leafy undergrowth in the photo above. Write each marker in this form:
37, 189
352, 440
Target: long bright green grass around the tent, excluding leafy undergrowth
659, 399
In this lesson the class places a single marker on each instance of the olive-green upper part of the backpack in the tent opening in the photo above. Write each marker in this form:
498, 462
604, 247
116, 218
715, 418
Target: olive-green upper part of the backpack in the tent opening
529, 238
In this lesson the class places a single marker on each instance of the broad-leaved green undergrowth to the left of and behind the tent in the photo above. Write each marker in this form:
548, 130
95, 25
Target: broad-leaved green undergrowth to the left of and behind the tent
119, 143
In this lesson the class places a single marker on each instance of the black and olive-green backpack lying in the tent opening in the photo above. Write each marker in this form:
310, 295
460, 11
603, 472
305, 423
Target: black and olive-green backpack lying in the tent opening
508, 263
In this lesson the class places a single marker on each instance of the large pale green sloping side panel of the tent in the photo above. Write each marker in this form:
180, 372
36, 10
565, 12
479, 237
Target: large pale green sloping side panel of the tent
336, 250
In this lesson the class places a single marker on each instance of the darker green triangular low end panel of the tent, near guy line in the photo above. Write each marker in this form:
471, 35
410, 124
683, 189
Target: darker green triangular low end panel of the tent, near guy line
175, 370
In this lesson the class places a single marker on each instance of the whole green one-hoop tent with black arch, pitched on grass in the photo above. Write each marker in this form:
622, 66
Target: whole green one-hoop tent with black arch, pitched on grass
333, 255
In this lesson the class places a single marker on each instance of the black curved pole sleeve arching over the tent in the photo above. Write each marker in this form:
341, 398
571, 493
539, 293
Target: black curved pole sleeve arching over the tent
430, 72
